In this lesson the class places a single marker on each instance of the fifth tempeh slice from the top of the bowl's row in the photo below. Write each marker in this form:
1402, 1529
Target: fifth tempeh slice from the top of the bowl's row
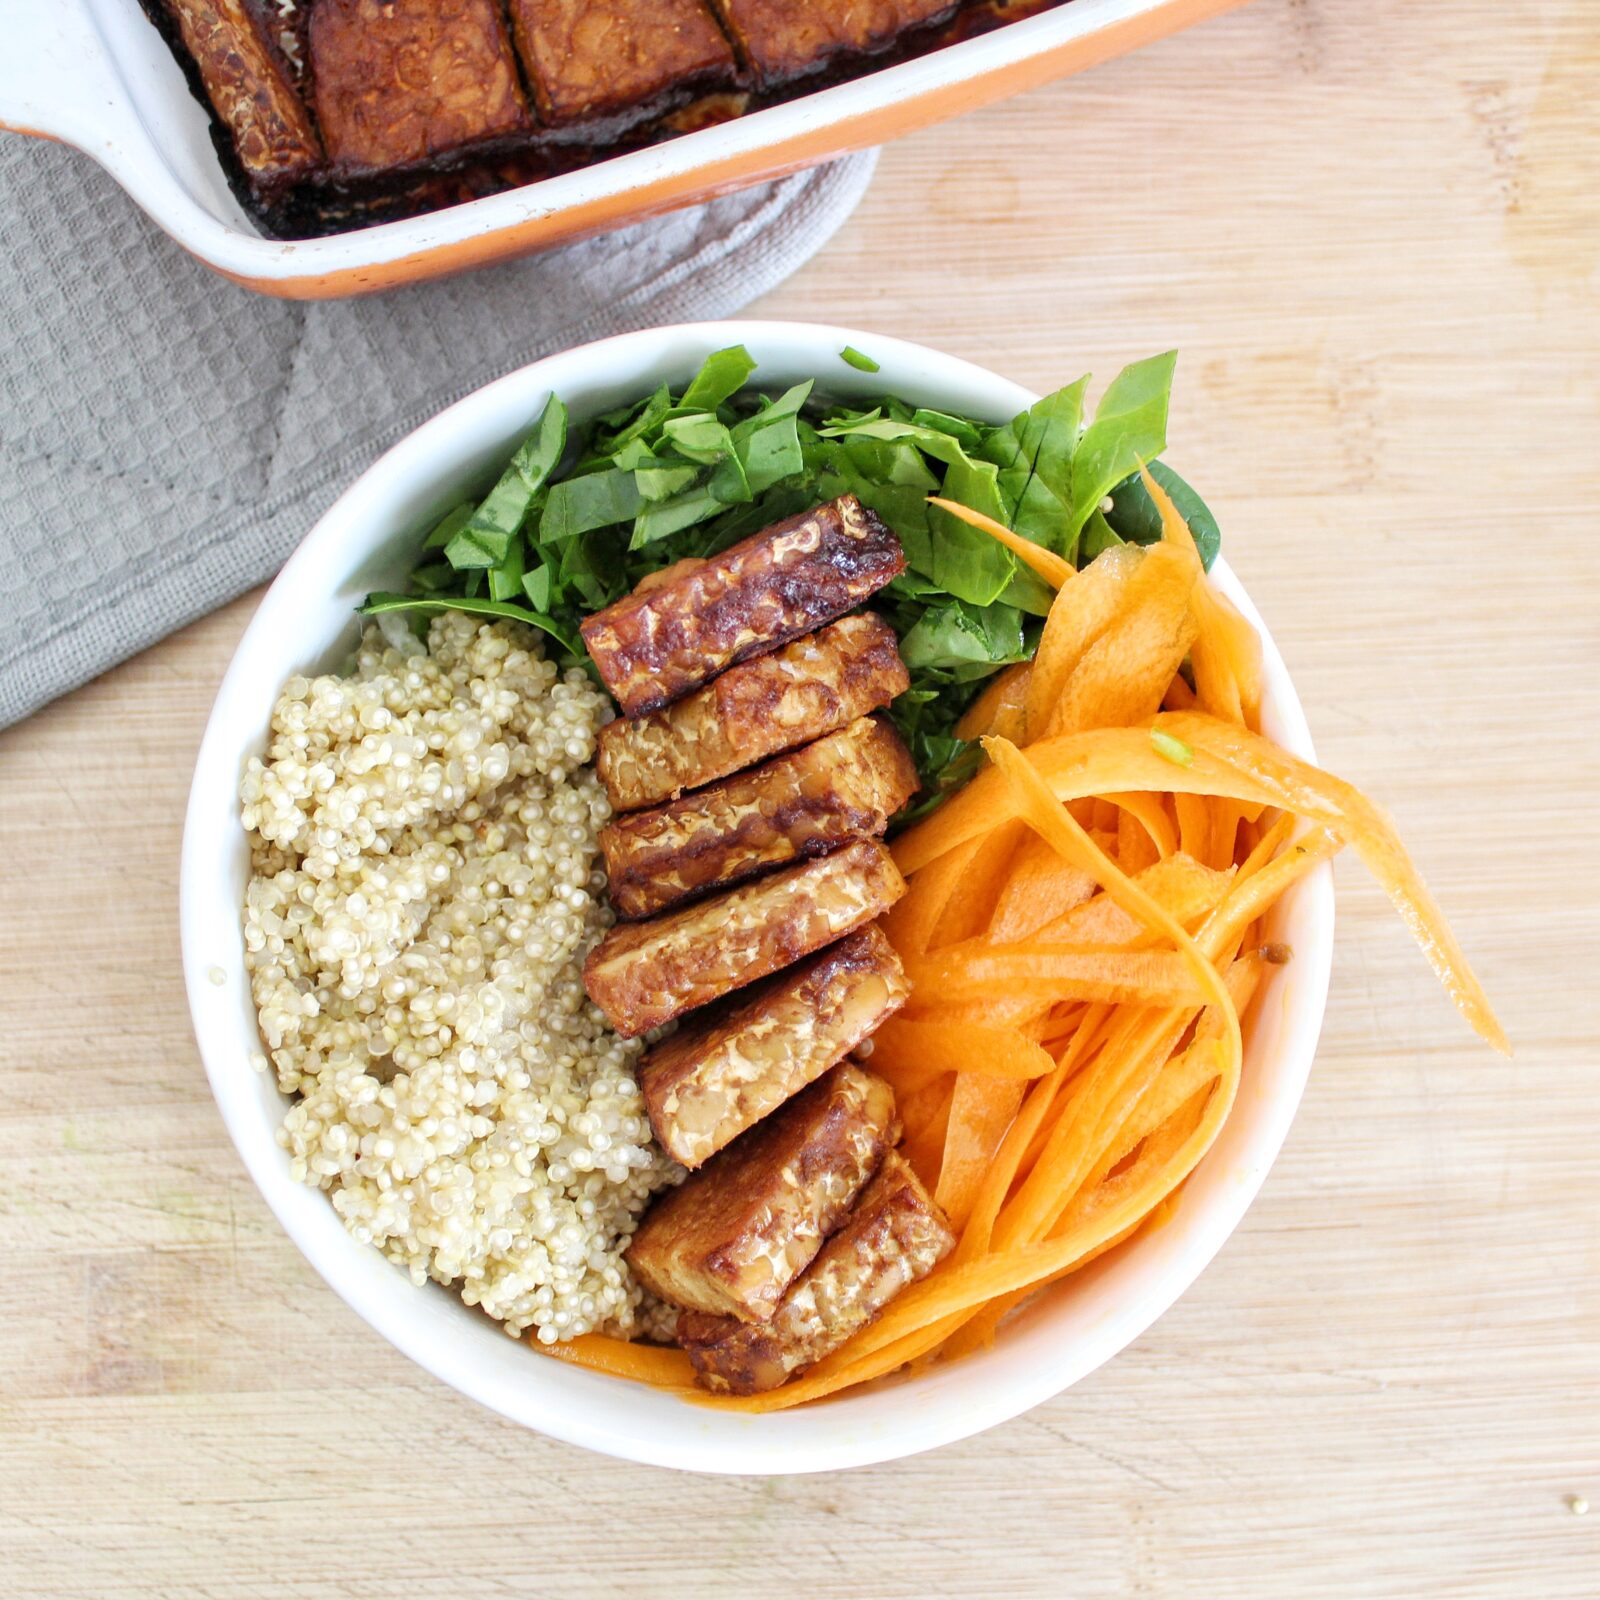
722, 1071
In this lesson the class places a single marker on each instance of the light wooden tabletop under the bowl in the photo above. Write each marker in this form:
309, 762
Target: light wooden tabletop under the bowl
1374, 230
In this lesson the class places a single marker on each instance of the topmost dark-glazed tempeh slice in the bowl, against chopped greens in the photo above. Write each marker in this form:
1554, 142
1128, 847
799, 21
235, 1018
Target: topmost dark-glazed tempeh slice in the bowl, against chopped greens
658, 644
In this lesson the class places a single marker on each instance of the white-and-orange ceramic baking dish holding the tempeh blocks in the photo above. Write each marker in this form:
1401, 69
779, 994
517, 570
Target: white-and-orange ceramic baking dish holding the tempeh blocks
98, 76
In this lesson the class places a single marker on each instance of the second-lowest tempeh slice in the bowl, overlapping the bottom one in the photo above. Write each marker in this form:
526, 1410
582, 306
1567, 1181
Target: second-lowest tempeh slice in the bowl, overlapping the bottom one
738, 1233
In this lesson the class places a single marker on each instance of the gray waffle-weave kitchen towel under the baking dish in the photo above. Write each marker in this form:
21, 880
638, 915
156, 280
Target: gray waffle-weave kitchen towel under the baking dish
166, 438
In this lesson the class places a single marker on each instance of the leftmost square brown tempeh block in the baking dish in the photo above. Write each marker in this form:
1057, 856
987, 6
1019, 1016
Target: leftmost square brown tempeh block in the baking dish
402, 82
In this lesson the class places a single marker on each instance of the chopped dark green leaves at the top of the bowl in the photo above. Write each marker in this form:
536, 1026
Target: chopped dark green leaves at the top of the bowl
575, 522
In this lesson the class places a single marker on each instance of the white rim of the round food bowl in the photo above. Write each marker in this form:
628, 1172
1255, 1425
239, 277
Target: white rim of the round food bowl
558, 1399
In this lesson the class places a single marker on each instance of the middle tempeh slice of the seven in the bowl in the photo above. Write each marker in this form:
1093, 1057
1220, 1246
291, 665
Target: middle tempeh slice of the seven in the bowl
647, 974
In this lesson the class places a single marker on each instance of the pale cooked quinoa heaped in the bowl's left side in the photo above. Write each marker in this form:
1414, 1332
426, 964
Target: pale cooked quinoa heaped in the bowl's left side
425, 889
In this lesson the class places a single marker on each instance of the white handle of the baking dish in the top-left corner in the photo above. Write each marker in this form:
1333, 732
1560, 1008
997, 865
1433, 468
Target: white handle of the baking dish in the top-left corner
58, 81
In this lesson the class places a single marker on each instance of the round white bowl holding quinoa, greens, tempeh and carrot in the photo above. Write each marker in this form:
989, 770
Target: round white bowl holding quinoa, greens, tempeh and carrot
306, 623
